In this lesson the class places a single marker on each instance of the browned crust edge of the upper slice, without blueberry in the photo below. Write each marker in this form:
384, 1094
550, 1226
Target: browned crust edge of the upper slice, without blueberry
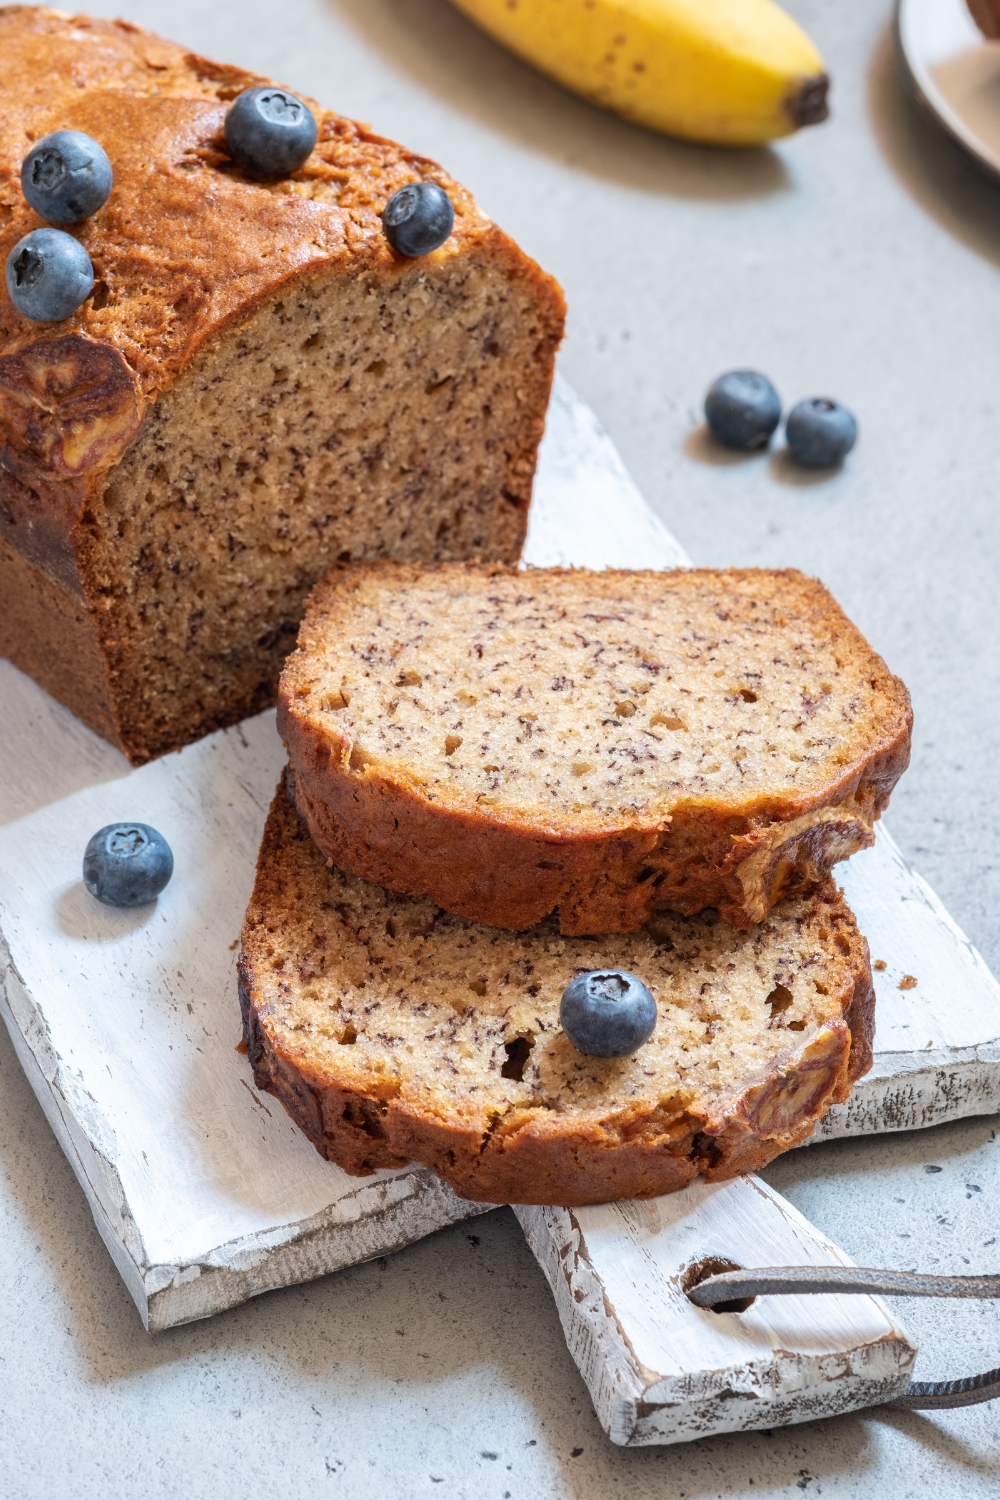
737, 854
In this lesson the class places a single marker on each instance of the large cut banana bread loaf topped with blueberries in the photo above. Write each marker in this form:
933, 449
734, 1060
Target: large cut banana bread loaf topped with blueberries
257, 388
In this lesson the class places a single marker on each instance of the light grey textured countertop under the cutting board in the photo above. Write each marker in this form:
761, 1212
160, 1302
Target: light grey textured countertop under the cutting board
860, 260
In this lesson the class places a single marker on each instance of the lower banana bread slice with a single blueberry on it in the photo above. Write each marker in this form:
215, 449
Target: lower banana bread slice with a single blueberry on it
394, 1031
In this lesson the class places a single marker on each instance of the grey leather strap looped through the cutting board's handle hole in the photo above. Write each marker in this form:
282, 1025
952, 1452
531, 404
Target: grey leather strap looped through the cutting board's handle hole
734, 1292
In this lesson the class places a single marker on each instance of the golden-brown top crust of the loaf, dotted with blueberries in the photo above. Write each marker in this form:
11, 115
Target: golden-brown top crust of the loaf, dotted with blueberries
160, 113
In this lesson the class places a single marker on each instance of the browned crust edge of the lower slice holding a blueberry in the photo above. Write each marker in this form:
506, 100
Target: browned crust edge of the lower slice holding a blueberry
525, 1154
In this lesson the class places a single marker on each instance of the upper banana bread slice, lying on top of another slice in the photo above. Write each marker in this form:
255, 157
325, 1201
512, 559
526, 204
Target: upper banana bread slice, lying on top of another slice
602, 743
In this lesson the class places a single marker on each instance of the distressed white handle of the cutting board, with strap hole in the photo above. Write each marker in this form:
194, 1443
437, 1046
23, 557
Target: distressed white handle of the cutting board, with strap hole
662, 1370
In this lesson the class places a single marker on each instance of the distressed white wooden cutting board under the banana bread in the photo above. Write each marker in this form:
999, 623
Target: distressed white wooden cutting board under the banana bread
206, 1195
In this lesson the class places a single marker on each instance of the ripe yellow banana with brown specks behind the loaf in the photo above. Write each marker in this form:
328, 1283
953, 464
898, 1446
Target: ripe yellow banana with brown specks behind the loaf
732, 73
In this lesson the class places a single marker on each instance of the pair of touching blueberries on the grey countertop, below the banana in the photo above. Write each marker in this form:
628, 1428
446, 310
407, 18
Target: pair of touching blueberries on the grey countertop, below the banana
743, 410
